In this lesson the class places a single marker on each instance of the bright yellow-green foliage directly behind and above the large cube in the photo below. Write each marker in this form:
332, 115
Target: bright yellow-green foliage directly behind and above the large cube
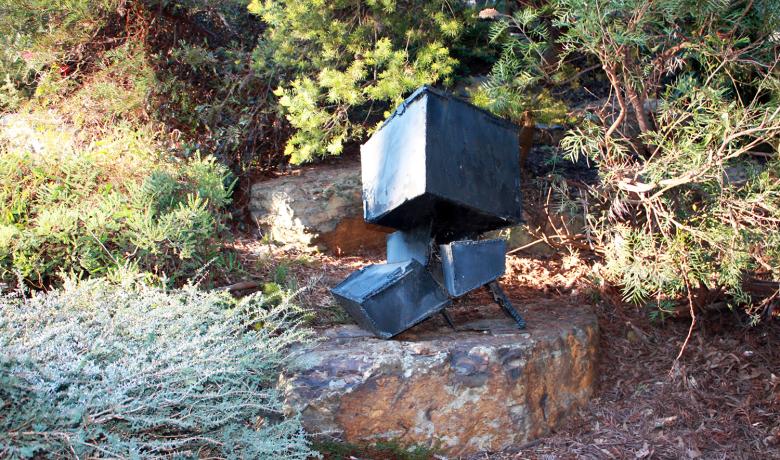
339, 63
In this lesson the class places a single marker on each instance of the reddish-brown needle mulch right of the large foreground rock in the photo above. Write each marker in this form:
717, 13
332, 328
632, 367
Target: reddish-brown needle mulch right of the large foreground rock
721, 401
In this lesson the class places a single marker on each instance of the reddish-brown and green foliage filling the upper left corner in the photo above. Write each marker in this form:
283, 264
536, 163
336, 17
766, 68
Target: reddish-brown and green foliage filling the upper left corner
182, 64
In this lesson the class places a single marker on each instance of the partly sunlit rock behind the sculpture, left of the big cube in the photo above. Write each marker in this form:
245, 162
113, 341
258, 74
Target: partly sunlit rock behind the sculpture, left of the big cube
316, 206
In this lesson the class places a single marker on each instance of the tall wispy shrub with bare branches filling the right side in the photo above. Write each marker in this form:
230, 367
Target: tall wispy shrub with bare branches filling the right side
689, 201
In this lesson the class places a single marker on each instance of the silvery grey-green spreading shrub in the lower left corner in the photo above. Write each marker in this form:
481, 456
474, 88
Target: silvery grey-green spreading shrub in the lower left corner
100, 370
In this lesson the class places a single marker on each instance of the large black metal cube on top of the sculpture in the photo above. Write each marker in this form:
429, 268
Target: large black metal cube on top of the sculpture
443, 162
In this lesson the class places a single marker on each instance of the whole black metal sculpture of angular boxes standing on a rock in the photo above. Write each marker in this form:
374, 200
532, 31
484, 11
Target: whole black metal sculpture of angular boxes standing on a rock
442, 172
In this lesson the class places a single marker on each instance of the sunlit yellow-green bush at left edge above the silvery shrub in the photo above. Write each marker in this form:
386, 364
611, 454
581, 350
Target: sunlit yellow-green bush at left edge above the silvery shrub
67, 208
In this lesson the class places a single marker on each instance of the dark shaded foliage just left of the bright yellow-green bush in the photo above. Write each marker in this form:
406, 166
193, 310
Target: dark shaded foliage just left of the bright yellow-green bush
207, 88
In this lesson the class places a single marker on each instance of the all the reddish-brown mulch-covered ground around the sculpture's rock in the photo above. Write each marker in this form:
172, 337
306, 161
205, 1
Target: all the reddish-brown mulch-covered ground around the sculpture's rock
720, 401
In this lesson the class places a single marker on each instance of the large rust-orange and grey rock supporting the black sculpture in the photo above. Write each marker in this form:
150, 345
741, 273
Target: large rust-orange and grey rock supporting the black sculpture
486, 386
